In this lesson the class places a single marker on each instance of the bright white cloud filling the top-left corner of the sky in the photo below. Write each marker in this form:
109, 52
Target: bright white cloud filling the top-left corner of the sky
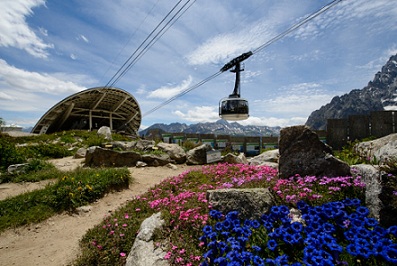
14, 30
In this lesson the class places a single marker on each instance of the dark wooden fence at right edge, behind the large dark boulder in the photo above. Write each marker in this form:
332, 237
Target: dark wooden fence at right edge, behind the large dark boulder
356, 127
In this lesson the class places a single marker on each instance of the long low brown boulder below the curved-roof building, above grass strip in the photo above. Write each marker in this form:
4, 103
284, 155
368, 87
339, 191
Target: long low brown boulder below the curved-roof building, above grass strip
97, 157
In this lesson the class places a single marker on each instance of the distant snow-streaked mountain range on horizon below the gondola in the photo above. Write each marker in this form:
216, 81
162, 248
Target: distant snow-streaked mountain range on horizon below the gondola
220, 127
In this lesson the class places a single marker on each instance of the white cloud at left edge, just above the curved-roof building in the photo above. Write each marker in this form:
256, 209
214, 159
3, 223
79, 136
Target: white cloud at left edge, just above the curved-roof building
13, 78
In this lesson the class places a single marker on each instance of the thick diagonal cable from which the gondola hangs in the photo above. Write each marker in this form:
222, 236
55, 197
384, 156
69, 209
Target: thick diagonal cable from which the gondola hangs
246, 55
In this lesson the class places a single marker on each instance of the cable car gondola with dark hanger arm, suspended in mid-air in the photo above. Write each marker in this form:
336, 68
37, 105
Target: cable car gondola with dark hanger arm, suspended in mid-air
234, 107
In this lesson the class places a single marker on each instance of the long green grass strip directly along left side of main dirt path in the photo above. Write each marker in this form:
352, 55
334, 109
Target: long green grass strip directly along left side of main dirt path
72, 189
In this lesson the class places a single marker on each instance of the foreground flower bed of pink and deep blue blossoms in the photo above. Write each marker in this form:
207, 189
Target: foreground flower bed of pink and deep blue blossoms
193, 233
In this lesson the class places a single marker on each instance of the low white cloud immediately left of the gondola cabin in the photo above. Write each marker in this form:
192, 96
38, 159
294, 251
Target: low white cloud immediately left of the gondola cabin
199, 114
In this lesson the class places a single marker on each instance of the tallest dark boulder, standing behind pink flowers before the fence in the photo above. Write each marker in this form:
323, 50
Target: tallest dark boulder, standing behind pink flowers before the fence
302, 152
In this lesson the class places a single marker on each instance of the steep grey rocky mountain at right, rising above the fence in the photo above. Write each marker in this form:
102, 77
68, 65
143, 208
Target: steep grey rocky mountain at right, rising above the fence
380, 94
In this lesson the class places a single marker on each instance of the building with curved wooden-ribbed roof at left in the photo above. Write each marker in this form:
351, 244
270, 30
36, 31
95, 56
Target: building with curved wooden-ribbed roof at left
91, 109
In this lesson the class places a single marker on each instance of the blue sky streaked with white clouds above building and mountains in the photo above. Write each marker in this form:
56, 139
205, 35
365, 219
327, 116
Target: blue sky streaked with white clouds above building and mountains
52, 49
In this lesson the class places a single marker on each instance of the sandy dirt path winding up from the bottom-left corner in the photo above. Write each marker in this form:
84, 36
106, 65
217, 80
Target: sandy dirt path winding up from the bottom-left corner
56, 240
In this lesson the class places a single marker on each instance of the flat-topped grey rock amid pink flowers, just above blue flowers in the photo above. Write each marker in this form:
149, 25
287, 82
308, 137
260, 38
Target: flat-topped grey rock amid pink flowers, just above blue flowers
250, 203
